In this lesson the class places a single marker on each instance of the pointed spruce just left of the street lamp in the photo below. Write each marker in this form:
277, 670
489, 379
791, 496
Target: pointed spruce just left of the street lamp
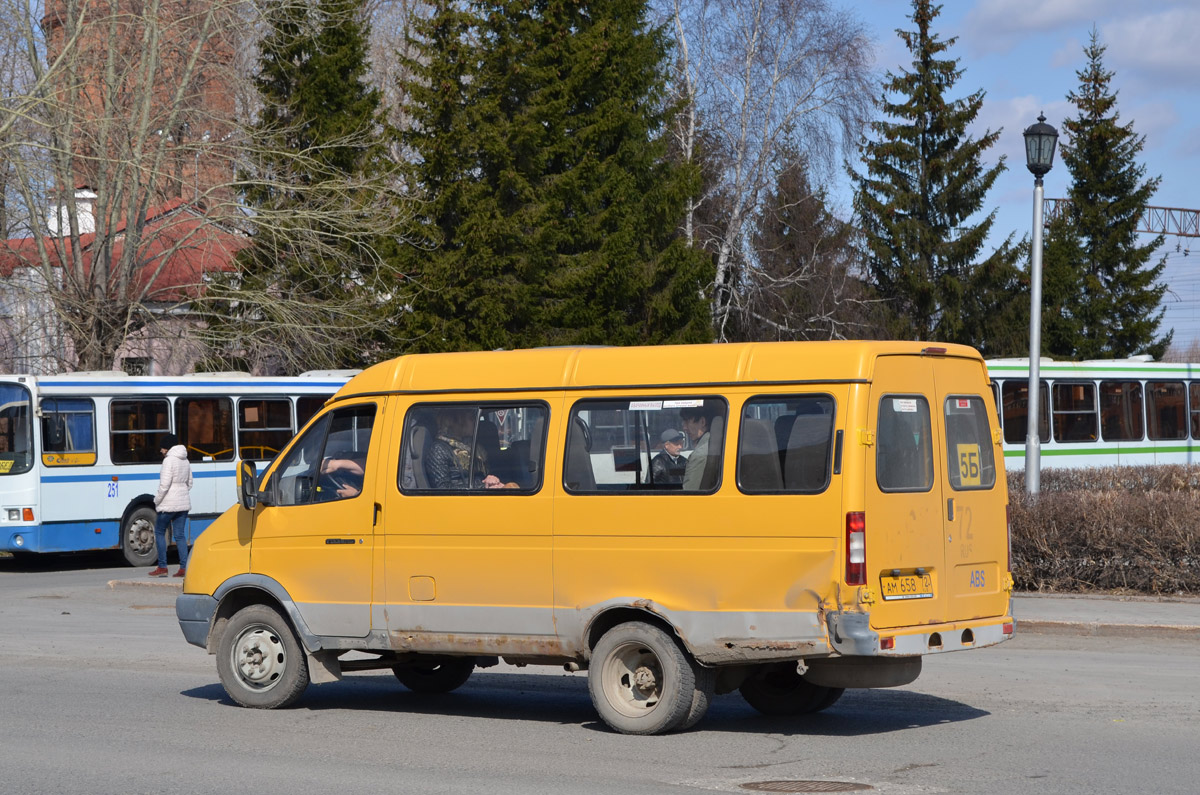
925, 180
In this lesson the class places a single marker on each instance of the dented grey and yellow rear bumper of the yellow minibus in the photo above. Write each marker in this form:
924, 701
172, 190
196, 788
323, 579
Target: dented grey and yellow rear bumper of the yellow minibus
851, 635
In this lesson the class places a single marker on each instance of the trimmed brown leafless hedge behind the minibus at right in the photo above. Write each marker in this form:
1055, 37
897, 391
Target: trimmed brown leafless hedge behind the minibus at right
1109, 529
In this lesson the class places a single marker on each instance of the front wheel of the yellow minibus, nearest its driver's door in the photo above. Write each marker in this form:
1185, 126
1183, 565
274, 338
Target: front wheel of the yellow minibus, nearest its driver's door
261, 661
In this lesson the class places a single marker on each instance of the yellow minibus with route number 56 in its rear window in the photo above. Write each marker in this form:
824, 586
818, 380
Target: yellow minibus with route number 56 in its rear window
783, 519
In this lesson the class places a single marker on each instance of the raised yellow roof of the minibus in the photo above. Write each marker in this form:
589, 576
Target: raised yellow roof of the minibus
685, 366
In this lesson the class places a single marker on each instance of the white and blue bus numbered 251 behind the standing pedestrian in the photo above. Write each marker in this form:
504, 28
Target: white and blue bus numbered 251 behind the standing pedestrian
80, 453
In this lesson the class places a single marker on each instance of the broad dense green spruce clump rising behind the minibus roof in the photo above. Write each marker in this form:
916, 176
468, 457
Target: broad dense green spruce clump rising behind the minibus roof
550, 206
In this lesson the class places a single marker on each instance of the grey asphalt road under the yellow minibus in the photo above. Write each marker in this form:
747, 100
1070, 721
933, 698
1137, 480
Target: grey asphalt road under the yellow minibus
101, 695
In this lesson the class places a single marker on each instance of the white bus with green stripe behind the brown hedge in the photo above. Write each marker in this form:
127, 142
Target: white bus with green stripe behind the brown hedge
1101, 414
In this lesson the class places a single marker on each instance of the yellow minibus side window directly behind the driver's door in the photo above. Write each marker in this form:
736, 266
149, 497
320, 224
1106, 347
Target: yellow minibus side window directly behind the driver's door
483, 449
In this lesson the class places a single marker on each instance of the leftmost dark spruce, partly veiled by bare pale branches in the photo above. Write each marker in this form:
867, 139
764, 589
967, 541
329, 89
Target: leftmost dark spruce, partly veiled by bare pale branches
304, 294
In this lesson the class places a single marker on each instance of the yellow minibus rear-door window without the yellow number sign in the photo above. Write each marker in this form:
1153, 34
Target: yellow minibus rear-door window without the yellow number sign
904, 457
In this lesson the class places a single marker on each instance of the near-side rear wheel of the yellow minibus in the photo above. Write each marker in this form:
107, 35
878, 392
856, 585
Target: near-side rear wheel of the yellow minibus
643, 682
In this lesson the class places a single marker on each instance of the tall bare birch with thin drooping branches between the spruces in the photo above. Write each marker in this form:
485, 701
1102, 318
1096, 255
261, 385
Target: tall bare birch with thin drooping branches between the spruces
765, 85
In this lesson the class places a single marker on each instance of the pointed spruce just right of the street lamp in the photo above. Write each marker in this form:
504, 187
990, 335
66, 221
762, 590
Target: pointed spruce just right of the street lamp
1101, 290
